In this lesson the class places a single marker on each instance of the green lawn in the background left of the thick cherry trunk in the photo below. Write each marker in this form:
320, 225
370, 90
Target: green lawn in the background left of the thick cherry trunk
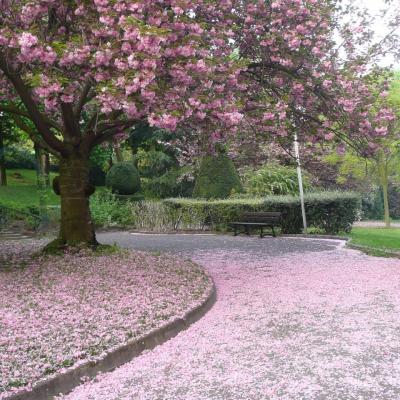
22, 191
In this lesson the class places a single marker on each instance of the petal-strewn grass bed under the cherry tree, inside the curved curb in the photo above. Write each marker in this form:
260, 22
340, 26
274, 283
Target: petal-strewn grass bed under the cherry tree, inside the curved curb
57, 312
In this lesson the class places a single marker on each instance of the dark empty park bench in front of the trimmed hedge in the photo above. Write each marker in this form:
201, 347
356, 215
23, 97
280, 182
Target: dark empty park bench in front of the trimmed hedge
259, 220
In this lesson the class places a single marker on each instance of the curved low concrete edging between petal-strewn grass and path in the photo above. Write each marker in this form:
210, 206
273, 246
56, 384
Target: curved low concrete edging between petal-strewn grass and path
67, 381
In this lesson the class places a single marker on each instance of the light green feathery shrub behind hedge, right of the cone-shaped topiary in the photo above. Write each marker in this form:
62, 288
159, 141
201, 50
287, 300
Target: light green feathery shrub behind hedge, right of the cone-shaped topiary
273, 179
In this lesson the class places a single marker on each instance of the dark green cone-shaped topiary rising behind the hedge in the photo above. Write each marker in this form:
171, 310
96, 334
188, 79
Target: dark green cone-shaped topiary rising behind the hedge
217, 178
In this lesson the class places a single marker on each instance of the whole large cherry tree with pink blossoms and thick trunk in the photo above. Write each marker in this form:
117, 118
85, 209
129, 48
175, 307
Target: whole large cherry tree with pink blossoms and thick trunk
86, 71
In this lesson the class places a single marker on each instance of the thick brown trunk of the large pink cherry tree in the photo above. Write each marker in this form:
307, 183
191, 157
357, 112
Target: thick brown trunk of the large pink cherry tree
74, 188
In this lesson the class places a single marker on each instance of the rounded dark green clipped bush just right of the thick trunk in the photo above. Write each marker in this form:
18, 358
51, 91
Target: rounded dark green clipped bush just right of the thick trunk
123, 178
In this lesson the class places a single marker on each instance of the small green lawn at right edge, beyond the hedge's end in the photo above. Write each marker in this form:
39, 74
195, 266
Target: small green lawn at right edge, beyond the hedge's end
377, 238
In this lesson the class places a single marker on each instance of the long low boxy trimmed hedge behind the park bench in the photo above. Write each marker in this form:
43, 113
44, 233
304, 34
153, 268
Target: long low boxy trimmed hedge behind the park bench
331, 212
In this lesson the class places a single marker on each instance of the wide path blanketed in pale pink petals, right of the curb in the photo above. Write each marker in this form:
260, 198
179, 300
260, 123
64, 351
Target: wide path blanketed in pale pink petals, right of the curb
318, 325
